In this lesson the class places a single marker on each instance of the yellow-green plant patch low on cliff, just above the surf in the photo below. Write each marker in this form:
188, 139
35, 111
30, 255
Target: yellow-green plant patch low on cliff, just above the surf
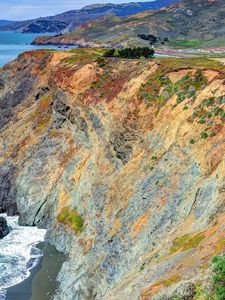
69, 216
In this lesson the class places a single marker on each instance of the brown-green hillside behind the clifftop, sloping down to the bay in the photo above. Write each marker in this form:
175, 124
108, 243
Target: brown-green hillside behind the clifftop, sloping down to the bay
187, 23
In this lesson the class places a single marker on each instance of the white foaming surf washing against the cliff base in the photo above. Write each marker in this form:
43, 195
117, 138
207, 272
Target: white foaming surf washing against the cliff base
18, 254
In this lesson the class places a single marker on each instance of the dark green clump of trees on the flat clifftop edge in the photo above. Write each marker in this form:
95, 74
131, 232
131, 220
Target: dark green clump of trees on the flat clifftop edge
131, 53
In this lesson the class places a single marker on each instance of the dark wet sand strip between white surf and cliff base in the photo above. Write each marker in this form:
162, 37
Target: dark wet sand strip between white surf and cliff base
41, 284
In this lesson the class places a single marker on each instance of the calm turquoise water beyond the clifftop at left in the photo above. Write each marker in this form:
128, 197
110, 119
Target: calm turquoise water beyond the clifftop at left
14, 43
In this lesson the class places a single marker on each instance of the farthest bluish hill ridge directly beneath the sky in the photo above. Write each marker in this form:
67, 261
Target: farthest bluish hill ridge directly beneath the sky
69, 20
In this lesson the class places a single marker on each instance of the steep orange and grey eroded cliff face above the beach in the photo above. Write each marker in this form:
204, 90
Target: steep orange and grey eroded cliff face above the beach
123, 162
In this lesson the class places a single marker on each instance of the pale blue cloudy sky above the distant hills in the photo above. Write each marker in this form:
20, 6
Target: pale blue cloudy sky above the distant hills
29, 9
